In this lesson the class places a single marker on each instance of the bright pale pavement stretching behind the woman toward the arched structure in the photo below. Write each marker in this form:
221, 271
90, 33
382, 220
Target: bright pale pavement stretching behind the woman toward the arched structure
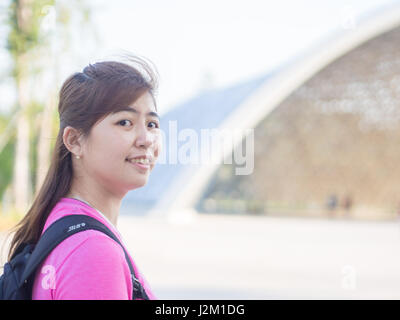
215, 256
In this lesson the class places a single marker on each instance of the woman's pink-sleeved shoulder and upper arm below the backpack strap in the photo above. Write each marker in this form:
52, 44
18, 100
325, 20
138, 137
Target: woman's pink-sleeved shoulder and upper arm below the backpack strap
87, 265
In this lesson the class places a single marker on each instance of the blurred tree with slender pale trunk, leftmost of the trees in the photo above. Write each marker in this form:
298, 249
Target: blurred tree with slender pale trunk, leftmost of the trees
25, 17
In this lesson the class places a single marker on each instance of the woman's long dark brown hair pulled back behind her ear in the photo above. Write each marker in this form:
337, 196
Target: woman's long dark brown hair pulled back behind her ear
85, 98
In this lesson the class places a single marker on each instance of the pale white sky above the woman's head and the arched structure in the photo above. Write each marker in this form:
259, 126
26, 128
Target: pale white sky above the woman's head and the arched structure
209, 43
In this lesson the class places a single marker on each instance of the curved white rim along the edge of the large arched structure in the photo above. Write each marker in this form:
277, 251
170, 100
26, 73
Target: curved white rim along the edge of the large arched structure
184, 193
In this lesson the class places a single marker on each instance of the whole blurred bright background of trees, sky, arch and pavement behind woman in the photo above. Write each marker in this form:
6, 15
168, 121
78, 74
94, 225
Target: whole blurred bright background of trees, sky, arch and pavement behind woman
318, 85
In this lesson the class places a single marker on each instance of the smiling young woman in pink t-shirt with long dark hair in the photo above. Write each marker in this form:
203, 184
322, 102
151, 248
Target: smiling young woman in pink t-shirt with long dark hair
108, 143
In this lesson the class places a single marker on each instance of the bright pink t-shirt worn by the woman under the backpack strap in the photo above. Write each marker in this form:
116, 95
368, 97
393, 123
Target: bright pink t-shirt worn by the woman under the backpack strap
88, 265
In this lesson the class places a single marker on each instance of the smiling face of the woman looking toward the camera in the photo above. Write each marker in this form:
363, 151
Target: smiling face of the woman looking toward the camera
115, 141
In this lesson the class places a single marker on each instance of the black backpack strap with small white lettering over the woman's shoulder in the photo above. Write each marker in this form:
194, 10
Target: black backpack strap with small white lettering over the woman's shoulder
62, 229
